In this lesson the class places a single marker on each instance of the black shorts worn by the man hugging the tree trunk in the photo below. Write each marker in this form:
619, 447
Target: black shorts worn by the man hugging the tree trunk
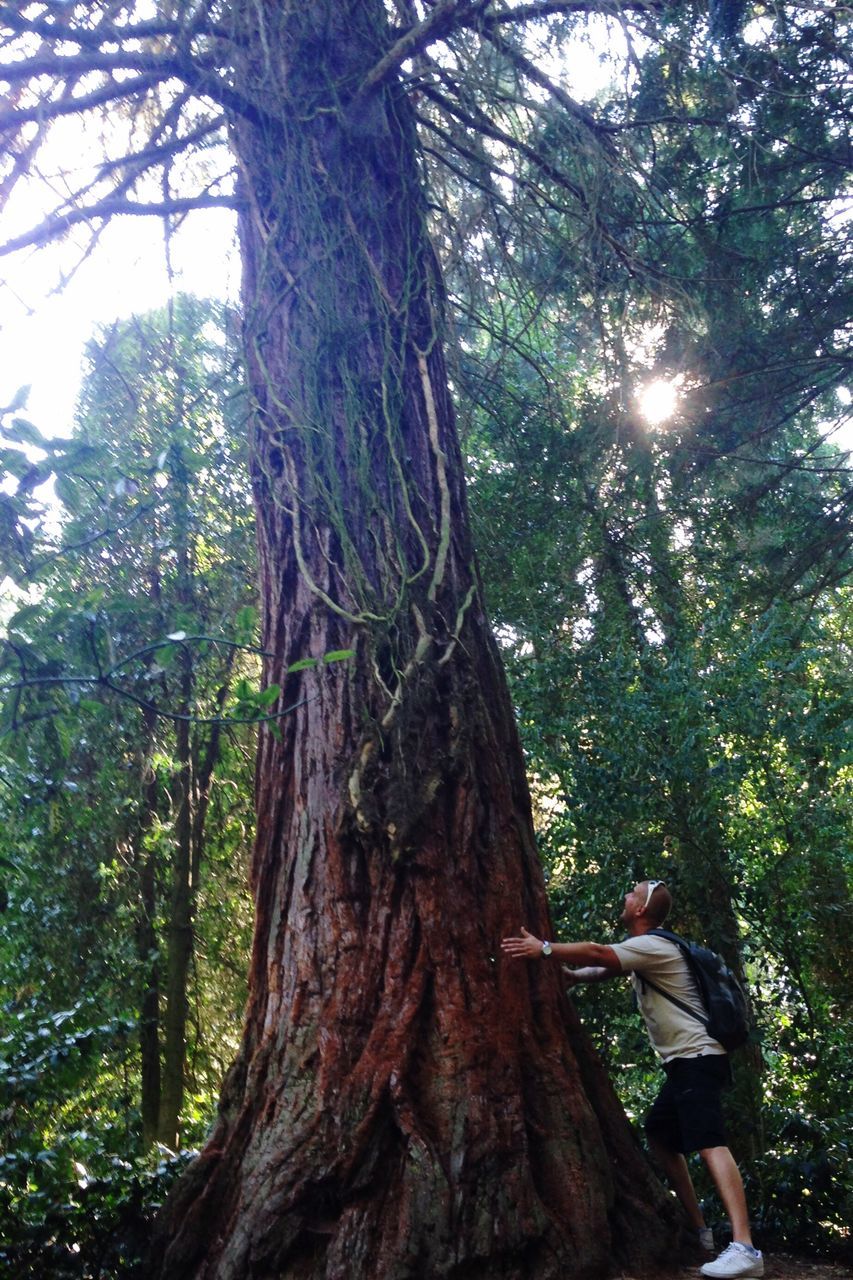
687, 1114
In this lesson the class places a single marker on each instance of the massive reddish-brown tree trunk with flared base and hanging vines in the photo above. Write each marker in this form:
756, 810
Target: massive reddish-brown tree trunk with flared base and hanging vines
405, 1103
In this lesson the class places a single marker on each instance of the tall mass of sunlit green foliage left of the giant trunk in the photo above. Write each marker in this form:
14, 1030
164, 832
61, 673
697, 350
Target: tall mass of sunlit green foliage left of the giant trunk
153, 548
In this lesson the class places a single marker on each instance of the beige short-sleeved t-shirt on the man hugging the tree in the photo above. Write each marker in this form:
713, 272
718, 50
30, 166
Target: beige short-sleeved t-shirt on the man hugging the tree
672, 1032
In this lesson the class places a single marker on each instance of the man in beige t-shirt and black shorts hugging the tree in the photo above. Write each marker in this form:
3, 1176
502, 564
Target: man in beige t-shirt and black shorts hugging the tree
687, 1114
